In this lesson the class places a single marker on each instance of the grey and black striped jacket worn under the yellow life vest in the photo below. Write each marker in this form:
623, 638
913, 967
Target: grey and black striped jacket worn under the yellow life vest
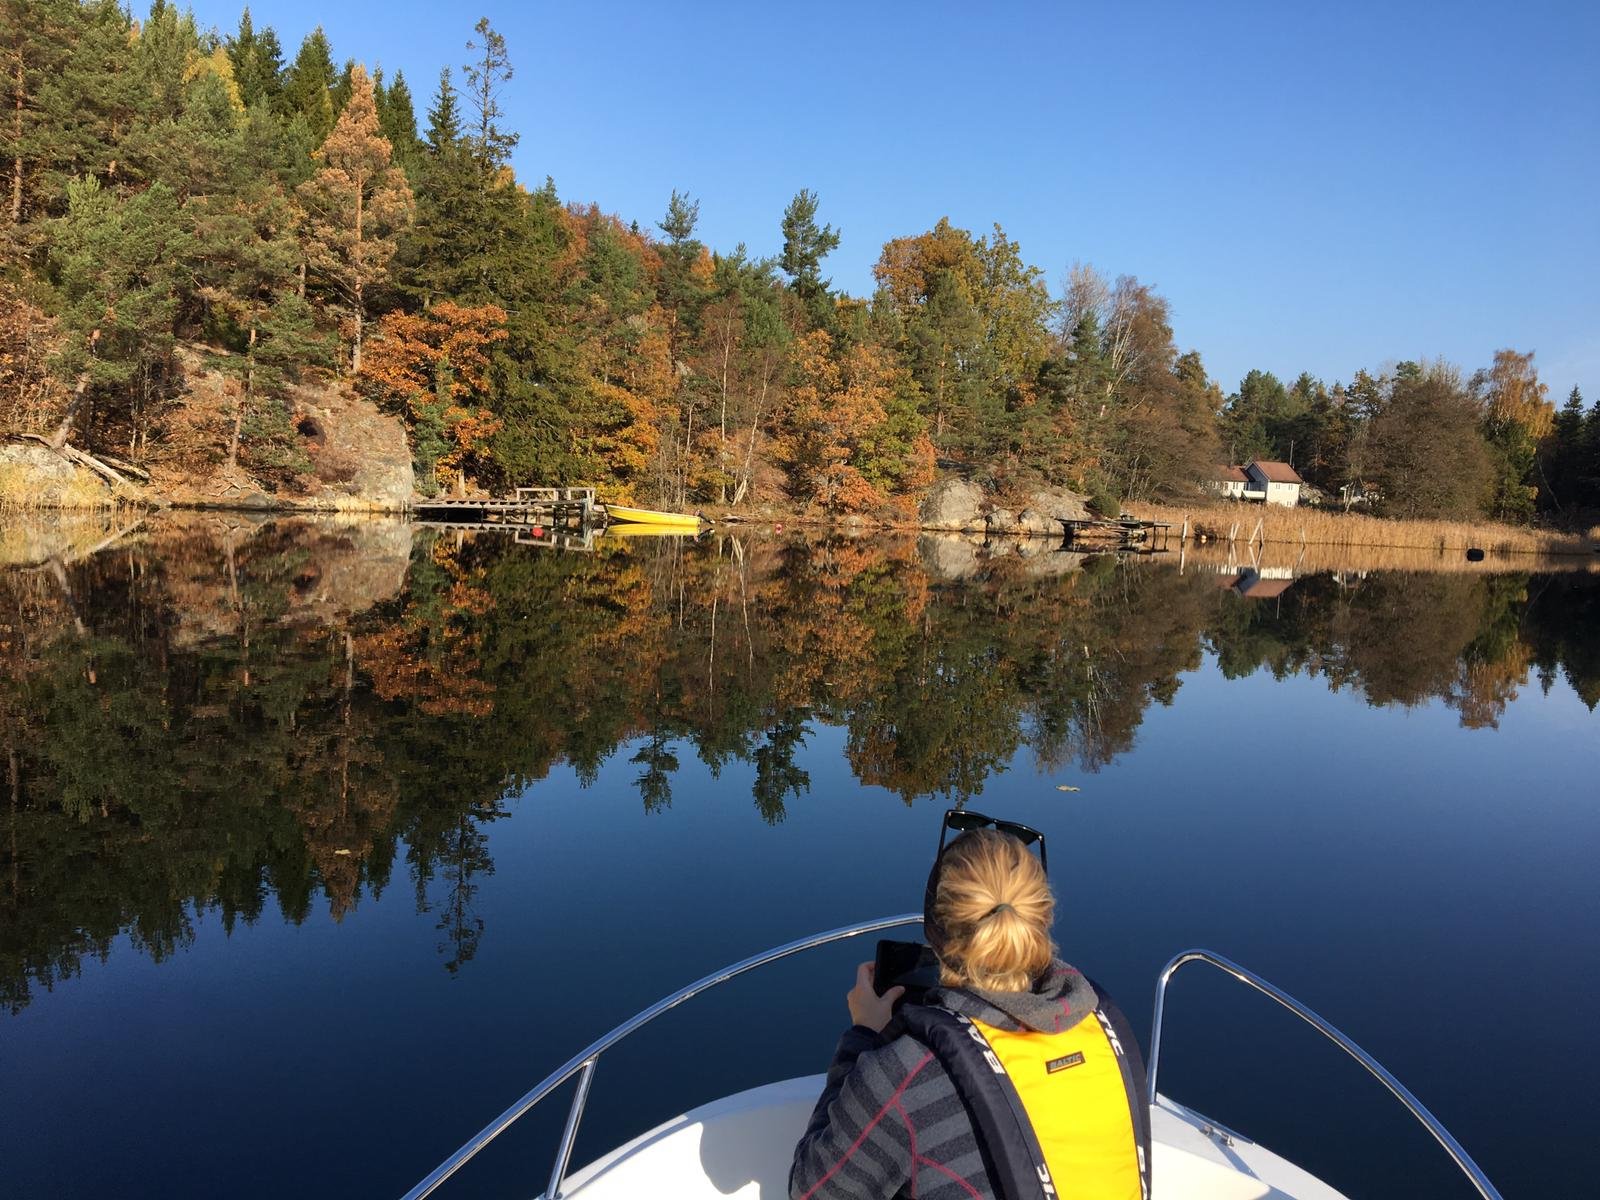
890, 1121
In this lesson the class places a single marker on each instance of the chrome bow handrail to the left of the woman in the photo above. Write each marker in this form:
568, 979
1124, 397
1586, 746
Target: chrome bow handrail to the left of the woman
585, 1062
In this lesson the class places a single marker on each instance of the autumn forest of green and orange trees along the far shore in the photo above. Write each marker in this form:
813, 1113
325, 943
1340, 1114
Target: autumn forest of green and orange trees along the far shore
300, 220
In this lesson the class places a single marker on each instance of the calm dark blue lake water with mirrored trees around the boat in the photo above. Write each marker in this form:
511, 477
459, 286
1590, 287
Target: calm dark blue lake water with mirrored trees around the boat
321, 844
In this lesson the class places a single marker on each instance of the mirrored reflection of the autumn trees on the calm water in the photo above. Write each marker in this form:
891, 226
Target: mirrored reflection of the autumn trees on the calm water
202, 724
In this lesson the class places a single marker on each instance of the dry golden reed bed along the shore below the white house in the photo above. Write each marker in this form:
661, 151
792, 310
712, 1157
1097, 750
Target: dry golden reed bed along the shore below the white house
1314, 527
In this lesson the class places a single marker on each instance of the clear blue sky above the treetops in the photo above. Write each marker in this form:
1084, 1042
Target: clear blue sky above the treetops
1313, 186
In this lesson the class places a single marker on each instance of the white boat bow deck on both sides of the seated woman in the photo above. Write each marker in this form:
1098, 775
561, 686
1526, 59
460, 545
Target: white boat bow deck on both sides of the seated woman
740, 1146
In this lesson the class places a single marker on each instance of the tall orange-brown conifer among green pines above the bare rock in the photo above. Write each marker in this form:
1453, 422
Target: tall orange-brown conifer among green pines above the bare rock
354, 207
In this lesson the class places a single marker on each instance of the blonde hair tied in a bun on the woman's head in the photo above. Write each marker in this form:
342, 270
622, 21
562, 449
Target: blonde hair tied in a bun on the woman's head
996, 910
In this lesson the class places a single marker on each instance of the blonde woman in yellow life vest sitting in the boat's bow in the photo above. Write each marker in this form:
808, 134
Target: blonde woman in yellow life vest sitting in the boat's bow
1018, 1078
